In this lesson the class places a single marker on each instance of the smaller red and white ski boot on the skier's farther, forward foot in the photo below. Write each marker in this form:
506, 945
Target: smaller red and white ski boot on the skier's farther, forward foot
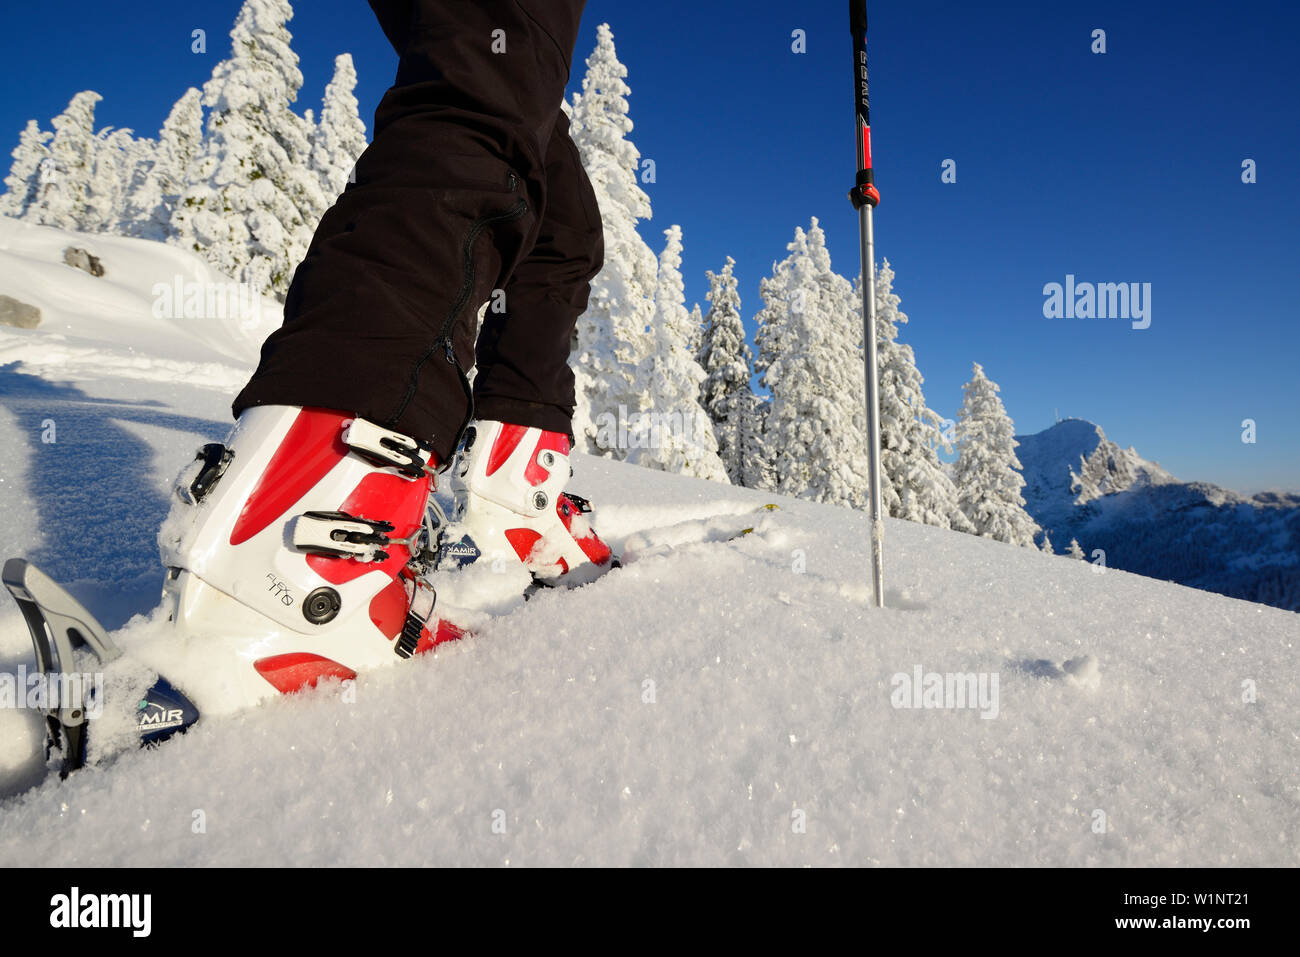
512, 505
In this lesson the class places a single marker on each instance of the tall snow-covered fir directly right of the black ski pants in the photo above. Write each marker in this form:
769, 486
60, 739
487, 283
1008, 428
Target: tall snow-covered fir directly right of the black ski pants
613, 336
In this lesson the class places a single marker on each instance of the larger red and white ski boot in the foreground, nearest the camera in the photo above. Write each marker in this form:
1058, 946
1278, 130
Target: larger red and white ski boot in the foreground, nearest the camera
296, 553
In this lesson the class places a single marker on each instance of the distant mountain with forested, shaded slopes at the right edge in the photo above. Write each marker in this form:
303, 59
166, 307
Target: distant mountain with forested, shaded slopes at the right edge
1082, 486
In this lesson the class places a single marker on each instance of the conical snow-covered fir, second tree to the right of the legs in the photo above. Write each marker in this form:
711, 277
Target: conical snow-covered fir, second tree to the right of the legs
677, 435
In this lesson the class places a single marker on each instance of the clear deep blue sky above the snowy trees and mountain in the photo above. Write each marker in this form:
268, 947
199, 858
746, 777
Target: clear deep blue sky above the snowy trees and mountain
1116, 168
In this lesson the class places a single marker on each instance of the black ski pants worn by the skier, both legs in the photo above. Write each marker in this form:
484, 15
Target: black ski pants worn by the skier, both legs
471, 192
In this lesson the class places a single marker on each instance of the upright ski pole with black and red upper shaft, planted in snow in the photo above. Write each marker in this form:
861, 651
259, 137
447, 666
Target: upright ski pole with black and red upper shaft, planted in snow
865, 198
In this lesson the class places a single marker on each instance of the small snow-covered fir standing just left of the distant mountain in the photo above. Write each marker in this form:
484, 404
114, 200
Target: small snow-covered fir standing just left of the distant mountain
989, 473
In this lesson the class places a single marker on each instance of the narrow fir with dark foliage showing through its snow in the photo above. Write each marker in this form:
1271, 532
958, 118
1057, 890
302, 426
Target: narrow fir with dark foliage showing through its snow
726, 358
